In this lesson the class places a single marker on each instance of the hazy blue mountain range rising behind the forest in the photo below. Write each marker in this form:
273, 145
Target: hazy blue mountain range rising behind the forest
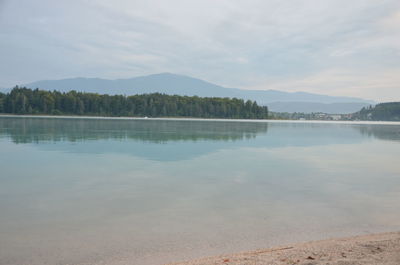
167, 83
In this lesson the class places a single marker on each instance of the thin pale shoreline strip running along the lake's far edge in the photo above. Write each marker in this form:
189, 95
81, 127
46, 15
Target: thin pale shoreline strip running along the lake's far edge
199, 119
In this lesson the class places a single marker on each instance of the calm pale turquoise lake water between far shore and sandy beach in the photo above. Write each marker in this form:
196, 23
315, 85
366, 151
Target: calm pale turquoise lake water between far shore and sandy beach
108, 191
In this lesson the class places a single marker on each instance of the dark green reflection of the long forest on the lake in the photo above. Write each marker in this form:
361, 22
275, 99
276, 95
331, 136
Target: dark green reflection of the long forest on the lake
34, 130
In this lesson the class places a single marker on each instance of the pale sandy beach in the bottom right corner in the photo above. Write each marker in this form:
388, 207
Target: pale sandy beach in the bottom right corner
360, 250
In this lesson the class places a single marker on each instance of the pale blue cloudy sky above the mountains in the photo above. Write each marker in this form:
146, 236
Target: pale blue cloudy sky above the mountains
332, 47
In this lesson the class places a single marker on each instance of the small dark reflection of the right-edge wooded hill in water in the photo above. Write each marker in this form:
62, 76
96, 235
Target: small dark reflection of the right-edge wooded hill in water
384, 132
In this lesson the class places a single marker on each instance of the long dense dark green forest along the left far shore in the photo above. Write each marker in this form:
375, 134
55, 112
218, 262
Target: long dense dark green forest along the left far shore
28, 101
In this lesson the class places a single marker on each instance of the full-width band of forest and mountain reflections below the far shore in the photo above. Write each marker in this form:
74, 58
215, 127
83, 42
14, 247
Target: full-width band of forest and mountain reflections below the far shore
172, 140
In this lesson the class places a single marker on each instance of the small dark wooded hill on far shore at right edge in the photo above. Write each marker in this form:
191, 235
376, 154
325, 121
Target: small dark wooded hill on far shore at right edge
381, 112
